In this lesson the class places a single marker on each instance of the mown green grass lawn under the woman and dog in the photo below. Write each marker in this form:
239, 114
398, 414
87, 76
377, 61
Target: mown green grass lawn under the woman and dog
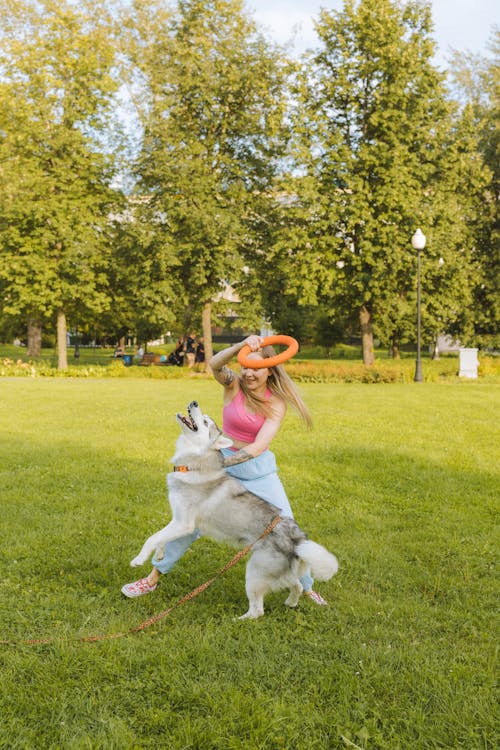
401, 482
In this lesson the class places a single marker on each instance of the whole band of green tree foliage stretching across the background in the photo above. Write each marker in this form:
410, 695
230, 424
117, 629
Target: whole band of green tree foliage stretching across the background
299, 184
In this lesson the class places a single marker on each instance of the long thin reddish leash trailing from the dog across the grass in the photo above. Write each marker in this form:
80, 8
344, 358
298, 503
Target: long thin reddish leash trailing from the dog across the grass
160, 615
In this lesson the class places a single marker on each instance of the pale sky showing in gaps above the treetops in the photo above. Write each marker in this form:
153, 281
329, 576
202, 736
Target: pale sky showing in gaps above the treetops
463, 25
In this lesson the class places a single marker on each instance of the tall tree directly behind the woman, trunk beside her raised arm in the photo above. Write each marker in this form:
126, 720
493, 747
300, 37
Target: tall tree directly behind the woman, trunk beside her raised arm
211, 103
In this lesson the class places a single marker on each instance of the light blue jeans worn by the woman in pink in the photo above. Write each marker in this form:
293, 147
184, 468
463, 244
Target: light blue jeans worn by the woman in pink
259, 475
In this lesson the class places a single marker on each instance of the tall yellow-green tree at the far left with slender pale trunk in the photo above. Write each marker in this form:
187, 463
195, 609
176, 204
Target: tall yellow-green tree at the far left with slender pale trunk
56, 91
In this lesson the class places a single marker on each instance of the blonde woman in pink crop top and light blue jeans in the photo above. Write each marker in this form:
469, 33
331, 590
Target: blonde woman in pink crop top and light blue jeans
255, 403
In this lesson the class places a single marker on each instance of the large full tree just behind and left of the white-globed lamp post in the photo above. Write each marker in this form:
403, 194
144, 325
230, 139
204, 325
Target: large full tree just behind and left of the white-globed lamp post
376, 159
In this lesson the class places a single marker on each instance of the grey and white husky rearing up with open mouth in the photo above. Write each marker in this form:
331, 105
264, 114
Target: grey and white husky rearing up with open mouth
203, 496
